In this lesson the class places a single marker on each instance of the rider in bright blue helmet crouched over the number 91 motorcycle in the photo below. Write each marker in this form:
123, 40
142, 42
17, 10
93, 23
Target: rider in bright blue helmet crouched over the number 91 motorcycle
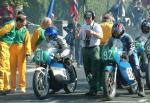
55, 41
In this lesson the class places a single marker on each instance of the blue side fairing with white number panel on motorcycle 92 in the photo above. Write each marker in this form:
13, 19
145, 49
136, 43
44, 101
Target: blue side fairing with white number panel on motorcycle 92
125, 70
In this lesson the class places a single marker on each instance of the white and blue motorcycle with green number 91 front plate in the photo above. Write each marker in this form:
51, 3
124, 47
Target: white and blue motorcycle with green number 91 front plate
52, 74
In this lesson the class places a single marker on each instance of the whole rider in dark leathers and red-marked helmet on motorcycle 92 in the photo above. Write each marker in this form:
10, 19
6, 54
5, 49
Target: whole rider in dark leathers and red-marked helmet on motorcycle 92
118, 32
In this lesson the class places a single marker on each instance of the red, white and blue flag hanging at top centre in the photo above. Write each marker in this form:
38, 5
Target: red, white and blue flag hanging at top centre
74, 10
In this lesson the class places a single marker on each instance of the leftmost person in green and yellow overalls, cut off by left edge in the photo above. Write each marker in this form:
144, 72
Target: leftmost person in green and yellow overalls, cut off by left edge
7, 35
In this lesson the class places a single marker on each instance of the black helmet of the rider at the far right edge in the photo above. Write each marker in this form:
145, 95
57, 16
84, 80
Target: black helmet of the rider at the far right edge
145, 26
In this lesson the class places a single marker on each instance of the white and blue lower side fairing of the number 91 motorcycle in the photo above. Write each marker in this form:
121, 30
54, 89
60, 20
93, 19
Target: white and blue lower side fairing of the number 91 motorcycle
60, 73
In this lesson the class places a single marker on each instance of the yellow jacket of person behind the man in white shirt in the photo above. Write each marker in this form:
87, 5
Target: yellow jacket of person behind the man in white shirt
107, 31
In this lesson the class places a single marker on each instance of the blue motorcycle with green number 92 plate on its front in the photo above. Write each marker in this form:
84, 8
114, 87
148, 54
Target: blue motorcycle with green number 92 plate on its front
116, 70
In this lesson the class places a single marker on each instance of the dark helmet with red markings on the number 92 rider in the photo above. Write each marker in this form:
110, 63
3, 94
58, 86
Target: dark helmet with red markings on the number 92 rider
117, 30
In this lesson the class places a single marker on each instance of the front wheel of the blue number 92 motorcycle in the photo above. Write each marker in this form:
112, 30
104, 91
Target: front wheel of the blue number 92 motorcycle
109, 88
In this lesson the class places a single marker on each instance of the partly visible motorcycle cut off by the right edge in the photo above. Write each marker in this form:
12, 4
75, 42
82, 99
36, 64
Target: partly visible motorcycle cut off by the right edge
143, 49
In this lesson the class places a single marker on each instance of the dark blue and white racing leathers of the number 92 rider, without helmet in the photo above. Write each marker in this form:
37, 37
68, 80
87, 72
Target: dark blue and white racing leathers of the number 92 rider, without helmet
129, 47
